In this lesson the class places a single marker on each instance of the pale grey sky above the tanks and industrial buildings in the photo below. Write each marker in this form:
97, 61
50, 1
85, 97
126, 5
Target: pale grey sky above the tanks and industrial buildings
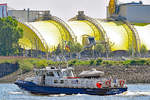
66, 9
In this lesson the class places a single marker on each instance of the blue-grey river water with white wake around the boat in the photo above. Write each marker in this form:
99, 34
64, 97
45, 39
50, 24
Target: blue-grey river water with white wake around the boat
135, 92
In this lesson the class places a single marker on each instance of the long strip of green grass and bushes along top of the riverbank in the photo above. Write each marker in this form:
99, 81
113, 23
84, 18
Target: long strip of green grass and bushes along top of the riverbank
27, 64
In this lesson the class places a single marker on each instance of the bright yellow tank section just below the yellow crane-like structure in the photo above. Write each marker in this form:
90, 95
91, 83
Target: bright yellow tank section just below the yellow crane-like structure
117, 35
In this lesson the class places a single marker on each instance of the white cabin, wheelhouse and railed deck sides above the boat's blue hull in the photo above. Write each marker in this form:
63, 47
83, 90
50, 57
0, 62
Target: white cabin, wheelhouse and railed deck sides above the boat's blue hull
51, 76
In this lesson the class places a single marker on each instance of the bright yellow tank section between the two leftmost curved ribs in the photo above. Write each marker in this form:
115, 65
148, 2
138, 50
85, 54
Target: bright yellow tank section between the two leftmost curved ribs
52, 32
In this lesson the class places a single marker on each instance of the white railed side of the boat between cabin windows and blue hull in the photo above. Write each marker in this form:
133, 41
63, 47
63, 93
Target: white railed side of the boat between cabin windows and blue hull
80, 82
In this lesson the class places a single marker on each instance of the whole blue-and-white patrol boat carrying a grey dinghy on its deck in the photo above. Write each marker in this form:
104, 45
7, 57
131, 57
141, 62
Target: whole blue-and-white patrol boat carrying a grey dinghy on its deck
52, 80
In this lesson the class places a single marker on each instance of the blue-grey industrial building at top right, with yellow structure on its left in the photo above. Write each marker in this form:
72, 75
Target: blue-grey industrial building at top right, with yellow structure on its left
132, 12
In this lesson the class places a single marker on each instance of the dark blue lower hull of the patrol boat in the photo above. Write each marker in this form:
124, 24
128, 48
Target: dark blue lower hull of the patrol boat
36, 89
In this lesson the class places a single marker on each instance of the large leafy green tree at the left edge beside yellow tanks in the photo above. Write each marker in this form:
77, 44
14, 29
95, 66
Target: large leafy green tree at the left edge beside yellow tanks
10, 34
